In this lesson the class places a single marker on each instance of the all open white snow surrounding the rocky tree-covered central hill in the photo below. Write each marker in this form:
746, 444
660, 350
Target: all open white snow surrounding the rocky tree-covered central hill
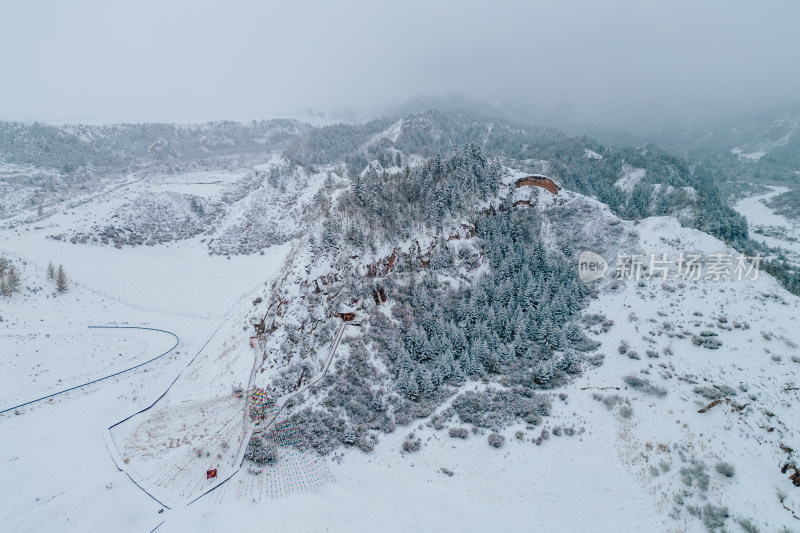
627, 446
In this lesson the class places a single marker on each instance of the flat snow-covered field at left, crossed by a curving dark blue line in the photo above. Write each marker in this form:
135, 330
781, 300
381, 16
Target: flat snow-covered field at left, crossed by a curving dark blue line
59, 474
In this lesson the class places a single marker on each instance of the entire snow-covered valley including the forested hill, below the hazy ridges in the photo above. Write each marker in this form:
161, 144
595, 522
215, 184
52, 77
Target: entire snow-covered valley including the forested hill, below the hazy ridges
271, 342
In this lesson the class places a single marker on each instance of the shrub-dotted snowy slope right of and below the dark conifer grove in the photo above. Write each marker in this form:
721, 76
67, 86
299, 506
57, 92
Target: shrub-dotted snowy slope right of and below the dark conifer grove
628, 471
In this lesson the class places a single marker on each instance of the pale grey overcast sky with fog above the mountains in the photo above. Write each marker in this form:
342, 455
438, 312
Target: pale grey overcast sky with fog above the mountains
618, 64
